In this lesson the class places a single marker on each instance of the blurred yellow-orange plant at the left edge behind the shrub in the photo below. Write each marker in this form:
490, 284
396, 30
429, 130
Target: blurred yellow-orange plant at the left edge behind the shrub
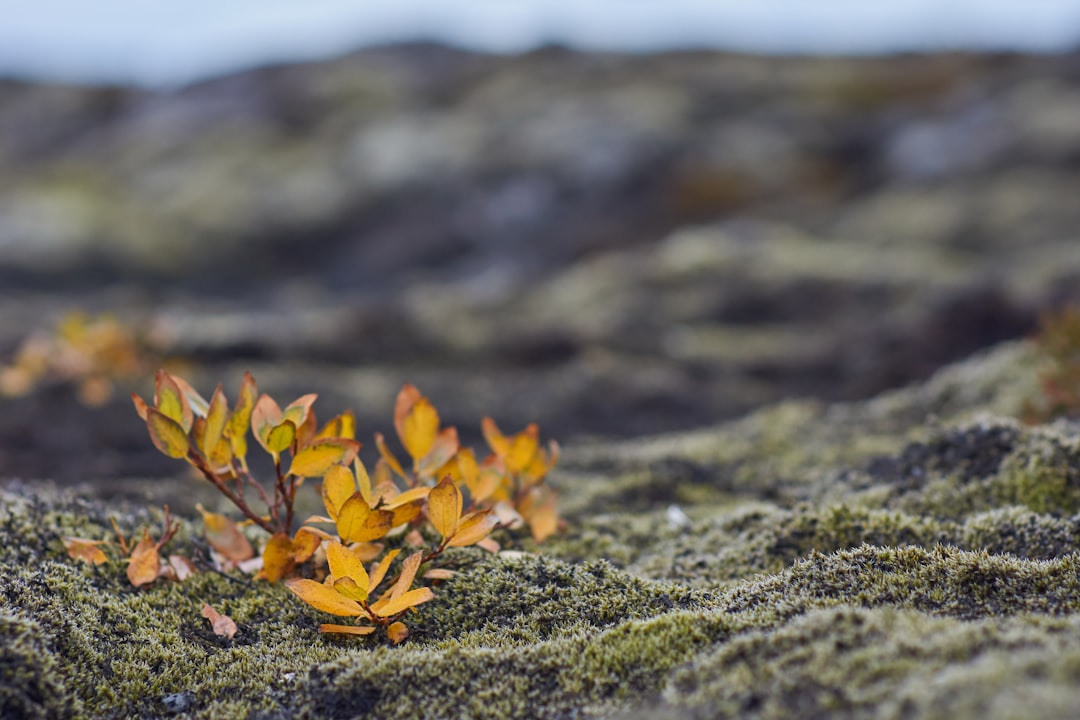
90, 352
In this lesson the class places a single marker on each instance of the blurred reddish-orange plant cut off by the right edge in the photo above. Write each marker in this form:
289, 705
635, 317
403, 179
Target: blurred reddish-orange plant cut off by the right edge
1059, 343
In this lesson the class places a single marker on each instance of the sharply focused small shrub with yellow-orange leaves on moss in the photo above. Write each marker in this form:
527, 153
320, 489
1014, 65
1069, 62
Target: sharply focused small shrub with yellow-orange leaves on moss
445, 500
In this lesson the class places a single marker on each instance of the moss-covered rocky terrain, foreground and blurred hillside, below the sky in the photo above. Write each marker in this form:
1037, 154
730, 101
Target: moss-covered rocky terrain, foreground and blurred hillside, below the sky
706, 275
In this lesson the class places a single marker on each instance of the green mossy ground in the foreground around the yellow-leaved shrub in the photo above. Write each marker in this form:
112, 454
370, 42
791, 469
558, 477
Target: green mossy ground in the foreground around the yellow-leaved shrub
853, 561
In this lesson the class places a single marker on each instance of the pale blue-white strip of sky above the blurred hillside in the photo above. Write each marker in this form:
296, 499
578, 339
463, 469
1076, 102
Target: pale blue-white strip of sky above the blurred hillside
157, 44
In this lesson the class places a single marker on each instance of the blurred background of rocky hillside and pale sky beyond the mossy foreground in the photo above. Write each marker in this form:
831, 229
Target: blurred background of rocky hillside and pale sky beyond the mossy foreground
612, 219
